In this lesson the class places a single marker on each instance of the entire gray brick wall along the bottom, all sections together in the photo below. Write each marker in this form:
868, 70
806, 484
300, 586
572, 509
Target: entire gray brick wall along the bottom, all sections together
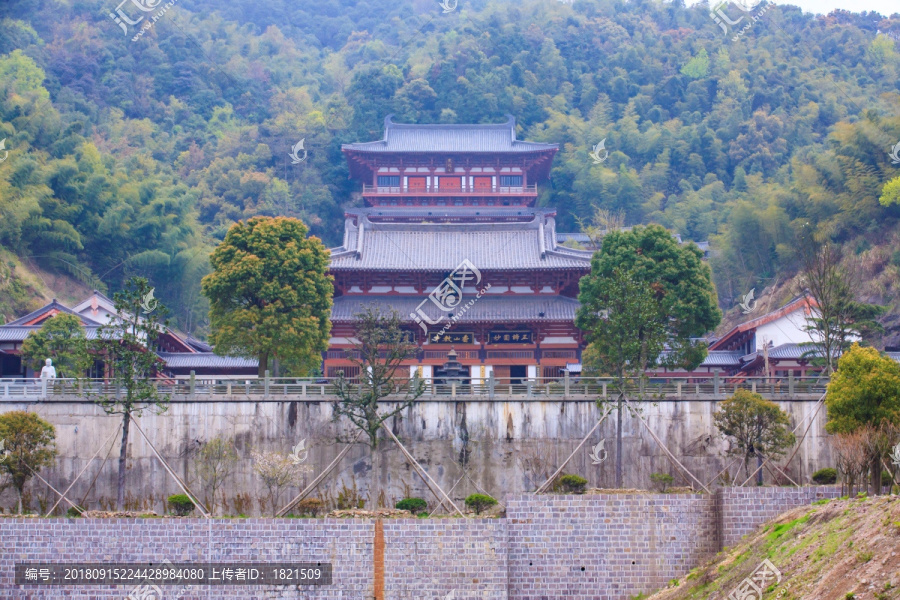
598, 547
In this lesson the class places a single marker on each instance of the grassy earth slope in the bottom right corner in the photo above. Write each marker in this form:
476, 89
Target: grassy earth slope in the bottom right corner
824, 552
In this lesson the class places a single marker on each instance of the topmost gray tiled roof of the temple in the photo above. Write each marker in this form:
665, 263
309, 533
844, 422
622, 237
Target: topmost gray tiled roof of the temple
401, 137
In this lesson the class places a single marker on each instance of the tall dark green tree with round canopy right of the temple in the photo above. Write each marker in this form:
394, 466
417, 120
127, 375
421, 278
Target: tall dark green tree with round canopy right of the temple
641, 304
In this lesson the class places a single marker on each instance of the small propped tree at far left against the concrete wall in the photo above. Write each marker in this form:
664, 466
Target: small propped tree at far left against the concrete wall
27, 443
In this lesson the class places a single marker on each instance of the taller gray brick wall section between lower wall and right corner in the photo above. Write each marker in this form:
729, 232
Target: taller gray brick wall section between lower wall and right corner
605, 546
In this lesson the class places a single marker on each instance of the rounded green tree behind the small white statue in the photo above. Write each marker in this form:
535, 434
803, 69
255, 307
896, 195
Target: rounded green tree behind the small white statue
61, 338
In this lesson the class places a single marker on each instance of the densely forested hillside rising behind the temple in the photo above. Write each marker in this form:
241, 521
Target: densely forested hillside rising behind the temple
132, 154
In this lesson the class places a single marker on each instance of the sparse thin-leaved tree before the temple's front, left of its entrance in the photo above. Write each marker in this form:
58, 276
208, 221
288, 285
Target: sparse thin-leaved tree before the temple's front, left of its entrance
377, 356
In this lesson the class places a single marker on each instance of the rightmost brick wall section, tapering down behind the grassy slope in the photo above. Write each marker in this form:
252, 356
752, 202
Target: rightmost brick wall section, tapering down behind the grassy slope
741, 510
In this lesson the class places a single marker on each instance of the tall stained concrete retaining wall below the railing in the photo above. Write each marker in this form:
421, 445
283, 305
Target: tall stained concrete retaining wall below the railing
504, 446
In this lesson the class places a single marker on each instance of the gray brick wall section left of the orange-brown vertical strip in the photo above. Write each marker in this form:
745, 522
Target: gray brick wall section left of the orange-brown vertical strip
347, 544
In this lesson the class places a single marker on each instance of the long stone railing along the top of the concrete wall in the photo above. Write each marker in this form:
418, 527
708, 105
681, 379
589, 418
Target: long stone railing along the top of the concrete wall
569, 388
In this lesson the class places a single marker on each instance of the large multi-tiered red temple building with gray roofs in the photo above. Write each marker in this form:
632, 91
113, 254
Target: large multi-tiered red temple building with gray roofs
450, 238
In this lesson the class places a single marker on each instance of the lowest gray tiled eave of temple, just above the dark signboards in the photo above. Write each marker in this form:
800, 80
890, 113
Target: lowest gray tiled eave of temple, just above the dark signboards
486, 309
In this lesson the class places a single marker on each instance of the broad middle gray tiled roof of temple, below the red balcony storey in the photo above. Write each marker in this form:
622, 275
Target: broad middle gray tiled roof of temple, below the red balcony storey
443, 246
